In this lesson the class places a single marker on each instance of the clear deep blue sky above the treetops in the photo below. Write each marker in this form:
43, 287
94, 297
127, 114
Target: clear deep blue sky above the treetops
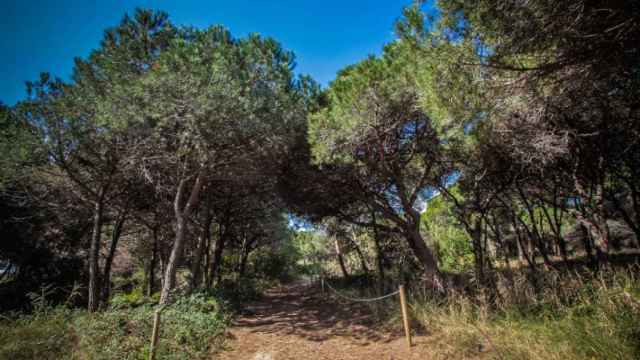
325, 35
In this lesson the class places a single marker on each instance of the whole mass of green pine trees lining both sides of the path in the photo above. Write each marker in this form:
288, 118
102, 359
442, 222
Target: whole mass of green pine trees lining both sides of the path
498, 138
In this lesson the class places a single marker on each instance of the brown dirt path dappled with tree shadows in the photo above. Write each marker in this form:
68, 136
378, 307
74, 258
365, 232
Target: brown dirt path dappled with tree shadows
295, 322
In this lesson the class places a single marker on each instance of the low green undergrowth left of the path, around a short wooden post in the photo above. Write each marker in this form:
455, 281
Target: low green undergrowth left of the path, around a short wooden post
191, 329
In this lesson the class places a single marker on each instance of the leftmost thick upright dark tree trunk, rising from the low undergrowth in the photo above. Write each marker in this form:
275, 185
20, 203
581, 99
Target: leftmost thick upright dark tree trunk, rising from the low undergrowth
94, 253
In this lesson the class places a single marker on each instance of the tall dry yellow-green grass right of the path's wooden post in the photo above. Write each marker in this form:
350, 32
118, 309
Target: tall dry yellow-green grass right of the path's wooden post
562, 317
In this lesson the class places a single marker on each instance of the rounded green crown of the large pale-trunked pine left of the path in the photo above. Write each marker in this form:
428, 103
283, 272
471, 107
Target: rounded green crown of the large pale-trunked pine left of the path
233, 90
